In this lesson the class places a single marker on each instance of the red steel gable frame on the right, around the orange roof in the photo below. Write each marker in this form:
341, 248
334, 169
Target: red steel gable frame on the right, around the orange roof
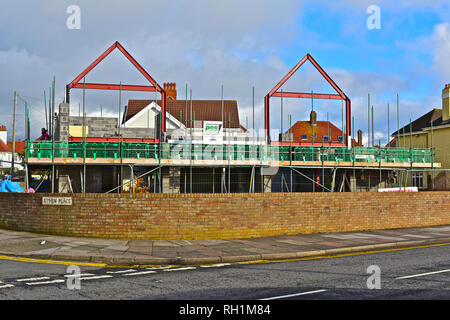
339, 96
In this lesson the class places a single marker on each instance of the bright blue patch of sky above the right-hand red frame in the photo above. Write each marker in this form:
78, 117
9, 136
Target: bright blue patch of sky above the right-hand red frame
340, 39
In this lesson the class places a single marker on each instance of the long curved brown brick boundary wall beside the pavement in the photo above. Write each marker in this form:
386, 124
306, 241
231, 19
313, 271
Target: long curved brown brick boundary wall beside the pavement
209, 216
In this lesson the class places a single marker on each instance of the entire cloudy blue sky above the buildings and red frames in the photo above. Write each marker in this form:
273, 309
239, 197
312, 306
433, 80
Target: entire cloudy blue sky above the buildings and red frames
239, 45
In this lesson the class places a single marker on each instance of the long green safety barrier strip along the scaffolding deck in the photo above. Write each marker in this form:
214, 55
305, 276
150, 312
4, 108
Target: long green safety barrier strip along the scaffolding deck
115, 150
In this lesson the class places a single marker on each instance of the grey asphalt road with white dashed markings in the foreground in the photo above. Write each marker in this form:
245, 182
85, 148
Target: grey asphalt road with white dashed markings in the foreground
422, 273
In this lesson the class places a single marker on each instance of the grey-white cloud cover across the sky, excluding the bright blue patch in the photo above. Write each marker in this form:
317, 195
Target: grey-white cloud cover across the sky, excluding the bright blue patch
202, 43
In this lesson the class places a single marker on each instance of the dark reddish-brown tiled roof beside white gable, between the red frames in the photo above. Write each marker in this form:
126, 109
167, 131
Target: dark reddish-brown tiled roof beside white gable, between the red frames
209, 110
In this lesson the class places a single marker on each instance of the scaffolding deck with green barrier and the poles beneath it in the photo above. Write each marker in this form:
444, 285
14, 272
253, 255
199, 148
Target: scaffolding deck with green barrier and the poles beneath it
232, 167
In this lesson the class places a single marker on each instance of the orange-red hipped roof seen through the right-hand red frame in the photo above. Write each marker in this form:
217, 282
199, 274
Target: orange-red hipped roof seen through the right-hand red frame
320, 130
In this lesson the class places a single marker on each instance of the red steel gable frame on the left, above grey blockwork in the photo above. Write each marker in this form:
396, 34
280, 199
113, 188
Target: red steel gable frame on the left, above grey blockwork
154, 87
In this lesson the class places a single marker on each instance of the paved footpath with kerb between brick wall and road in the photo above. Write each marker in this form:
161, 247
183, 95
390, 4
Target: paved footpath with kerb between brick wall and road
112, 252
